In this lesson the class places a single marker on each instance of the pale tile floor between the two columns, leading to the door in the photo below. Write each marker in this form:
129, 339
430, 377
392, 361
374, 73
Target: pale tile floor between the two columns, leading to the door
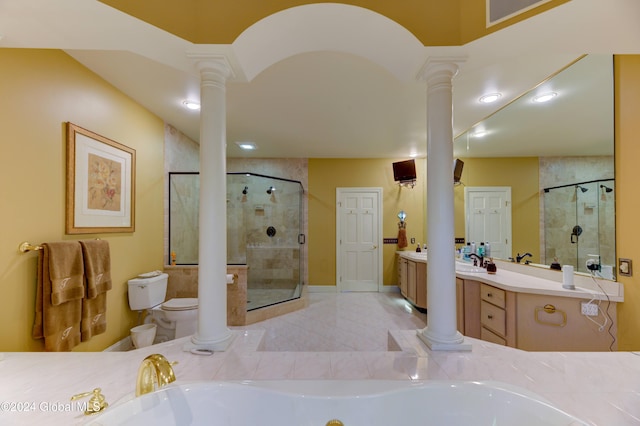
335, 322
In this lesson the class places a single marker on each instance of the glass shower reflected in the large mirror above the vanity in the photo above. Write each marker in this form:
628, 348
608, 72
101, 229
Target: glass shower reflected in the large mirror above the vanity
579, 226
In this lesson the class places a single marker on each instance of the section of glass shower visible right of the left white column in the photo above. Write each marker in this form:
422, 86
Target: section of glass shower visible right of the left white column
264, 231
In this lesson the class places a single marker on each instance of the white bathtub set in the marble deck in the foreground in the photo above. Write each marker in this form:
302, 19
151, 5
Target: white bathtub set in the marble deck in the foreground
352, 402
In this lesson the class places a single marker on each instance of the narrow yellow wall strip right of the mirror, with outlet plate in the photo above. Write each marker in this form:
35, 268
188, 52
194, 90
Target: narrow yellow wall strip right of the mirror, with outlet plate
627, 153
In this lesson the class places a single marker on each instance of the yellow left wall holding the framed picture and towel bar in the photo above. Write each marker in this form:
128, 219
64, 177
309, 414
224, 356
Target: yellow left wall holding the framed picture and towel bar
41, 90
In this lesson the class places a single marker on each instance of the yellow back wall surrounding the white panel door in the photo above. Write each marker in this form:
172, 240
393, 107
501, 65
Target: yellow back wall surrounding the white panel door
325, 175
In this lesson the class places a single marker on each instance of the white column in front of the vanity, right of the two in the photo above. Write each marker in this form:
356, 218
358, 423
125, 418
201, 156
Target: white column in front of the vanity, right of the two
441, 331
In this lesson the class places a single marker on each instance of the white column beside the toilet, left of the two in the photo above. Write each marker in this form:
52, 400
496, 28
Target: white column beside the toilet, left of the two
212, 333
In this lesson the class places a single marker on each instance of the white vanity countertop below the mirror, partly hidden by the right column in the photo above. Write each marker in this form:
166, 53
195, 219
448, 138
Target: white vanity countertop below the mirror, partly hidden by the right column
526, 279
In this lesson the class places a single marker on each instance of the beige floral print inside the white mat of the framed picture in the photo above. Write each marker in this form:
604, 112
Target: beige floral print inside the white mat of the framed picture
104, 183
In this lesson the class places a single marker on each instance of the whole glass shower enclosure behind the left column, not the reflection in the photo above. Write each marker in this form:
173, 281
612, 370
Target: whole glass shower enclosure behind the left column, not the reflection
264, 231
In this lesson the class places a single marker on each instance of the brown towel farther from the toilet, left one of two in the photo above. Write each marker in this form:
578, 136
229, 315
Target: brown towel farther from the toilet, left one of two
58, 300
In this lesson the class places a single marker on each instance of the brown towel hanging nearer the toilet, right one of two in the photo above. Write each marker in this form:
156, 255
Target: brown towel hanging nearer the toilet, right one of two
97, 264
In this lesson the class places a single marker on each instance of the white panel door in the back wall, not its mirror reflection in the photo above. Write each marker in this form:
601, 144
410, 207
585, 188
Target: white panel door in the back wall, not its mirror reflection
358, 239
